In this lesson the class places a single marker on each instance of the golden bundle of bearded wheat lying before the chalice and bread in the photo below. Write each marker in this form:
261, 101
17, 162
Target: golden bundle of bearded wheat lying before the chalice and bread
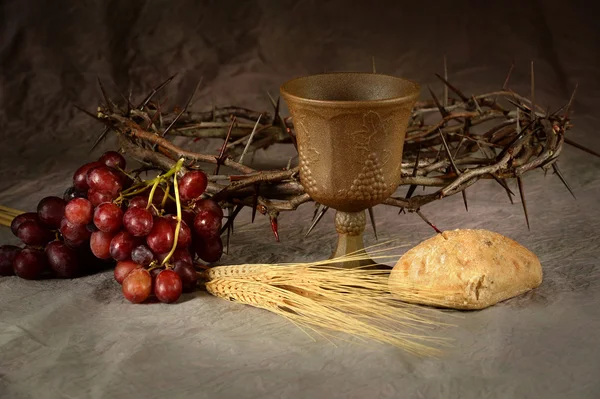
325, 298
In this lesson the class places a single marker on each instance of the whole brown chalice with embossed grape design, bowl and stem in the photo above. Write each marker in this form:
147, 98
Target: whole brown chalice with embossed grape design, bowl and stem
350, 130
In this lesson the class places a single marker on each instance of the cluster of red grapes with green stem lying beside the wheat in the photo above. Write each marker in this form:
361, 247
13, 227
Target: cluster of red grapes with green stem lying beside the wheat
152, 232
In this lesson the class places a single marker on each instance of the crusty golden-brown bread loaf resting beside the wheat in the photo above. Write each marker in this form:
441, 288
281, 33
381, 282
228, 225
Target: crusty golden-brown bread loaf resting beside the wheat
465, 269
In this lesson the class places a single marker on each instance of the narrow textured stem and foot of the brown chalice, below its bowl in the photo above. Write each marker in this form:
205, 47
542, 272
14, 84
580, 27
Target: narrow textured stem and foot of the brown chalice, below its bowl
350, 227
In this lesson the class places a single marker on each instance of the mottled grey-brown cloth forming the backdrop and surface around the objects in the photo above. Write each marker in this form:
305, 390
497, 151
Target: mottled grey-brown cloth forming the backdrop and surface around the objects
82, 339
